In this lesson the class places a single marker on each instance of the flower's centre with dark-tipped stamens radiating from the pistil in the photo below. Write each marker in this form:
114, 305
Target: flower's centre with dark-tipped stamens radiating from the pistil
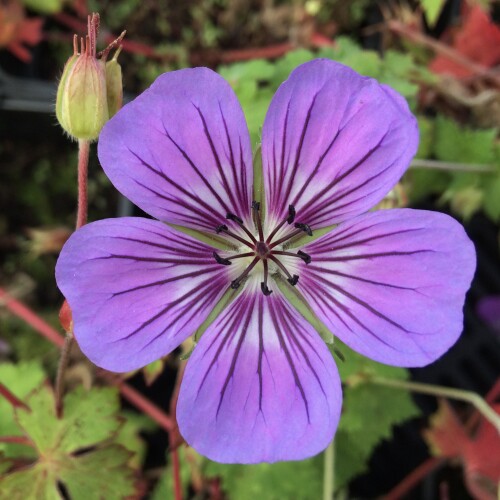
262, 249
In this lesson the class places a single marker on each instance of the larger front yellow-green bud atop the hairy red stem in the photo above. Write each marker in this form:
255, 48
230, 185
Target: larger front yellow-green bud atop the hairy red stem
81, 105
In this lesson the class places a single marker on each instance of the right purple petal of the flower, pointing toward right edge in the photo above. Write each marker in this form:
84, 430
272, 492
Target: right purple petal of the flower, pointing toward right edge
391, 284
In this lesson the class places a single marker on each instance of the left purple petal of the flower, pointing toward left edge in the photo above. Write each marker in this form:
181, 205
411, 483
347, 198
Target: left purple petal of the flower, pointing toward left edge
136, 289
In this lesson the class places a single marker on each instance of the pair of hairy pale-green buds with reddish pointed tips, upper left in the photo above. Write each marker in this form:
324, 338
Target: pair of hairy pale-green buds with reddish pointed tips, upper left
90, 91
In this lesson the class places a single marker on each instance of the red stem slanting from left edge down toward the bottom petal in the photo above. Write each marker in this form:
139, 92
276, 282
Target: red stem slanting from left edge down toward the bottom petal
129, 393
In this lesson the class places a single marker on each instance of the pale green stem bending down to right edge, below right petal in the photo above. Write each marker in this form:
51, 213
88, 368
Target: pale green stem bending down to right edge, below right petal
437, 390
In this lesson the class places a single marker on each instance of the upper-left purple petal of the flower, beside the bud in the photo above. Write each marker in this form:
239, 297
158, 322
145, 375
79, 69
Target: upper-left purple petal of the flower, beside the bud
181, 150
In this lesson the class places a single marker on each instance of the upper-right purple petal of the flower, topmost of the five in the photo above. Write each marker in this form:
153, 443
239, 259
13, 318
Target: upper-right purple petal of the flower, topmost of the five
333, 144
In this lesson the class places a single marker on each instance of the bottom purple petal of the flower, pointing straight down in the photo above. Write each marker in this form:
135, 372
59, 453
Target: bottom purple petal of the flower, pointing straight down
261, 385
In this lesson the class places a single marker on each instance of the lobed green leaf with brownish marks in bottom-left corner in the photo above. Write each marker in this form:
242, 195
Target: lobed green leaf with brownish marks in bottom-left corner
79, 451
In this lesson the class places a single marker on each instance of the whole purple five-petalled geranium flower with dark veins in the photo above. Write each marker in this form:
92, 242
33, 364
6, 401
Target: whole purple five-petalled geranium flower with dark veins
261, 385
